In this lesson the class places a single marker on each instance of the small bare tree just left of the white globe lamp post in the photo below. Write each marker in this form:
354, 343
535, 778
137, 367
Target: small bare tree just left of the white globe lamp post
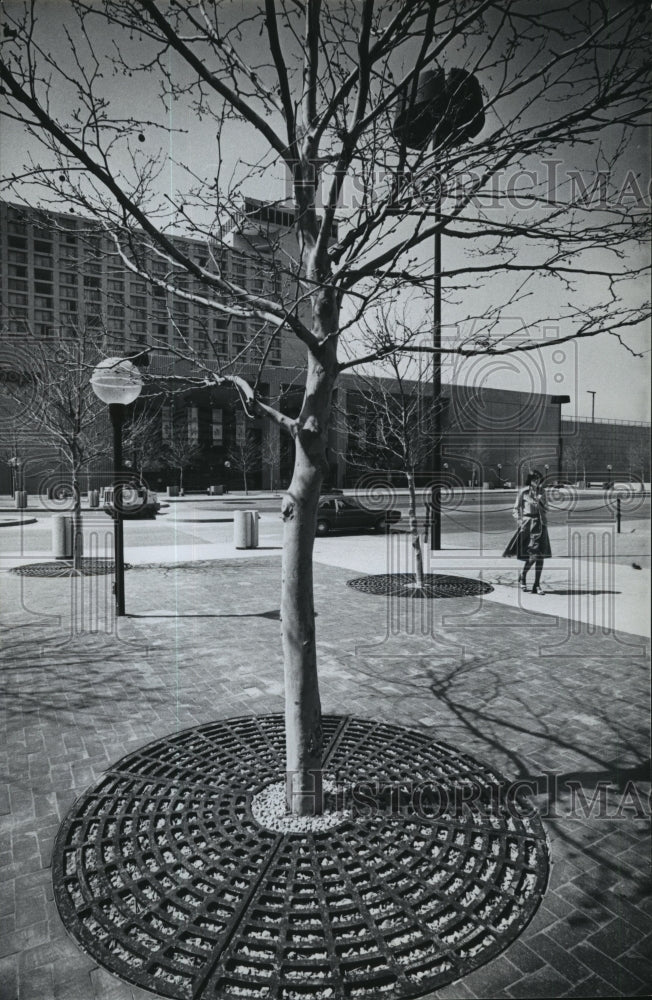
59, 405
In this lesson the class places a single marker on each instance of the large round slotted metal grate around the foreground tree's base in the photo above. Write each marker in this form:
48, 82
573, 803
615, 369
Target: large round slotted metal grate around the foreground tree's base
163, 874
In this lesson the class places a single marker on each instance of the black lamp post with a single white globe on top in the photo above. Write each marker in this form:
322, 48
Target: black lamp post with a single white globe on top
117, 382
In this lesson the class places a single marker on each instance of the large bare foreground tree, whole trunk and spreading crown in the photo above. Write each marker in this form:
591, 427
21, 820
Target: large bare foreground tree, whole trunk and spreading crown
534, 206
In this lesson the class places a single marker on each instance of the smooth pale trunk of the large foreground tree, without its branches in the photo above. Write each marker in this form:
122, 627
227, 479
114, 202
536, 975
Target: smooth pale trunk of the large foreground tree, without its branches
299, 508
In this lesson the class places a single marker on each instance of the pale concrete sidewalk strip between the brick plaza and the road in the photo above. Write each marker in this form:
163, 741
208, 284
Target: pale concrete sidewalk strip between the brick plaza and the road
599, 585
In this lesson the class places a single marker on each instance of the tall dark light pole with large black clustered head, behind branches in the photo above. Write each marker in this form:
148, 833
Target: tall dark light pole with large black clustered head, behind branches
446, 109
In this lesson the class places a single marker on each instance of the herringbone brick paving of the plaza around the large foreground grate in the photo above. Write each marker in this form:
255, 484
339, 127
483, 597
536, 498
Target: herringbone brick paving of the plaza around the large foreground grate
548, 704
